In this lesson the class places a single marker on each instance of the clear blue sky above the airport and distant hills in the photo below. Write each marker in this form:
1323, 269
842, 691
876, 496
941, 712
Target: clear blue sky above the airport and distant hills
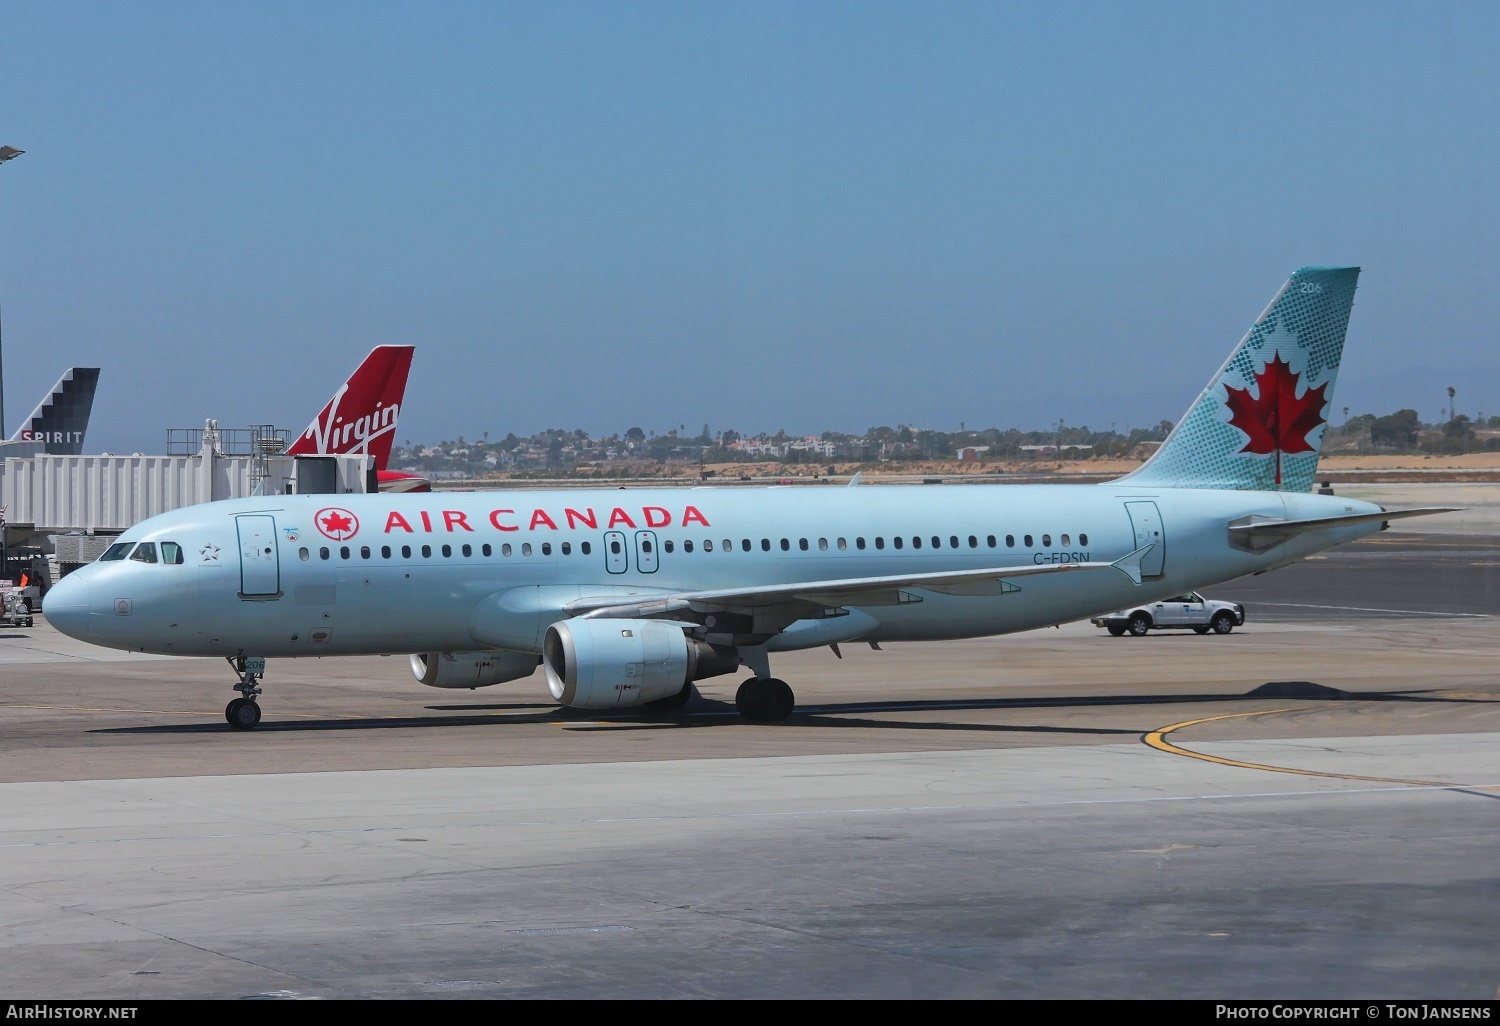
755, 215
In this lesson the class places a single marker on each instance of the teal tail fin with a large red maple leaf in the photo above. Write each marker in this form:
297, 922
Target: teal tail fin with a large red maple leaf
1259, 424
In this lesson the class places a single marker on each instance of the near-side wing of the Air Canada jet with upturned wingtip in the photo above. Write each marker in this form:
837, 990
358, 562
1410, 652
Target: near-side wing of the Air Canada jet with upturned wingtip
865, 592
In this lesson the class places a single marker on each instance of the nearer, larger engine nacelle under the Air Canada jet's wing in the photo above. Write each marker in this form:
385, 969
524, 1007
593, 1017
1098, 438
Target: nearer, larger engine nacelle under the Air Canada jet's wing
617, 664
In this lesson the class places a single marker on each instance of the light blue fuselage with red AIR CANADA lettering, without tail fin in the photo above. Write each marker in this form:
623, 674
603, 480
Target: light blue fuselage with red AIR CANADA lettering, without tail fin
262, 577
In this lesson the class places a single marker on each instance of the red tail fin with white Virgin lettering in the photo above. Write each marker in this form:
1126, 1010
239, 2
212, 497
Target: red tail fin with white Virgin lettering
362, 415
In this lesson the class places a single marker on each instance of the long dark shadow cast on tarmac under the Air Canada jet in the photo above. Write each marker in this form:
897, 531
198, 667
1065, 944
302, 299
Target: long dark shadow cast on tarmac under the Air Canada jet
707, 713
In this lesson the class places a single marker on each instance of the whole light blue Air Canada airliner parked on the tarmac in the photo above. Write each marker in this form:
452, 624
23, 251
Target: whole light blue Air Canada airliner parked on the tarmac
626, 598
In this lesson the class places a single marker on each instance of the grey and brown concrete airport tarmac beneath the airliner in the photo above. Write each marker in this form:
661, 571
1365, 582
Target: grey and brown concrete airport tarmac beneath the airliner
1301, 809
